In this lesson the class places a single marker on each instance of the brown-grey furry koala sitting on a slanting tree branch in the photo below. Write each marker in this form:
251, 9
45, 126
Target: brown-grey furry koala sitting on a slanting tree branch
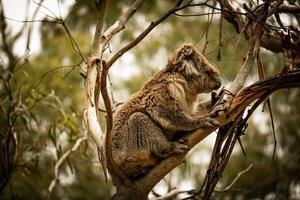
145, 126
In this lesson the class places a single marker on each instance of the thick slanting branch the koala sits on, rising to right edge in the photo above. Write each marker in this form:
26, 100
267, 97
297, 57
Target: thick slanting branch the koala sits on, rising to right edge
143, 186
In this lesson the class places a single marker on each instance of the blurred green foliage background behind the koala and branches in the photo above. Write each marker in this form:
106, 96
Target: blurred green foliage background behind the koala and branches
47, 92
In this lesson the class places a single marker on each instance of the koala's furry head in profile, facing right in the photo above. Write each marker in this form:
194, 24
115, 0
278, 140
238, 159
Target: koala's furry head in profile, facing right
201, 76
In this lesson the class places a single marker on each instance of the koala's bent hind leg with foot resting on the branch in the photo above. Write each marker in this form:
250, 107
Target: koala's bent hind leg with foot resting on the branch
145, 134
